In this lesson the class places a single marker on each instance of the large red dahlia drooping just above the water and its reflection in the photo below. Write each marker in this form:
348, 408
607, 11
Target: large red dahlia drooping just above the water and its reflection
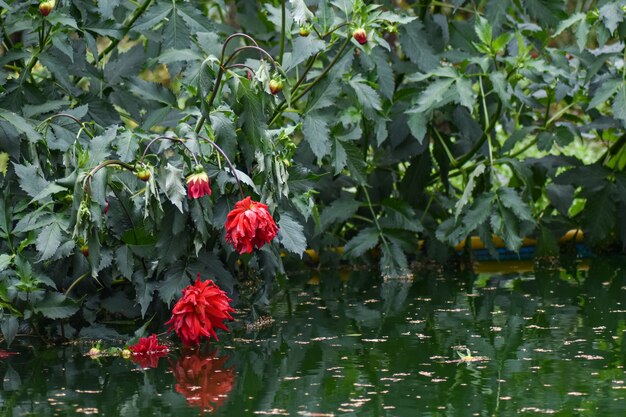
202, 308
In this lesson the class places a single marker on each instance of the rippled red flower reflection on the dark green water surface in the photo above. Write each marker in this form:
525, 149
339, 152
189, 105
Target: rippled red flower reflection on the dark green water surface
203, 381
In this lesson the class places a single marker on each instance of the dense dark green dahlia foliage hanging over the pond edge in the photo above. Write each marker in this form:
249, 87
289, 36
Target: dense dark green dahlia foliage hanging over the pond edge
451, 120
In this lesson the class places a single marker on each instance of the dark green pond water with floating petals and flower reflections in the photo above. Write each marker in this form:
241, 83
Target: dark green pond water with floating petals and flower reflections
349, 344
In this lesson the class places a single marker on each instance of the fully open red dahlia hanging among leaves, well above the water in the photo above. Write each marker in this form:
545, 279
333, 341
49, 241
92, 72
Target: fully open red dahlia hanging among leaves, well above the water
249, 224
